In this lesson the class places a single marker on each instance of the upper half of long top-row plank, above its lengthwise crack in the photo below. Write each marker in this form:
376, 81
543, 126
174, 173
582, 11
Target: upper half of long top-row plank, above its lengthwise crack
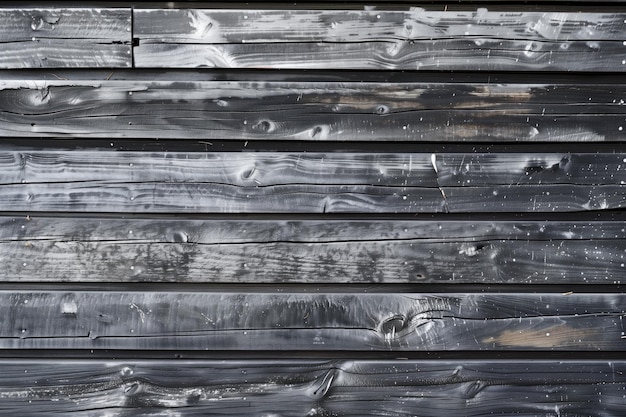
280, 26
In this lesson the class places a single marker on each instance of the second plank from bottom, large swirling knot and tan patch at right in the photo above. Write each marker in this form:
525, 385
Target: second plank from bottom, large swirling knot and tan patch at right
283, 320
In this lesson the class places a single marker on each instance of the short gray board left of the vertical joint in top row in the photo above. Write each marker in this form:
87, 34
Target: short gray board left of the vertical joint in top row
62, 38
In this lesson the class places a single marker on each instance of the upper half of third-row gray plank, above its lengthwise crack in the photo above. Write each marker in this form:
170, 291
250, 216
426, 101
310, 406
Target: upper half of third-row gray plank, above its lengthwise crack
448, 169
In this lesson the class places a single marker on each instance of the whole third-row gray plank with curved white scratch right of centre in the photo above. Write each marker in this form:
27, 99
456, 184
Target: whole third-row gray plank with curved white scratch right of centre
276, 182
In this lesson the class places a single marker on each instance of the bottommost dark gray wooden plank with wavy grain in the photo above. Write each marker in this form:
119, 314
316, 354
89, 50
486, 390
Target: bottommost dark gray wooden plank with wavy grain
314, 388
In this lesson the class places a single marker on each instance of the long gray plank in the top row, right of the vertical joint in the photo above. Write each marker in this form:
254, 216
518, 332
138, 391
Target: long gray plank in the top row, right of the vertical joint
409, 40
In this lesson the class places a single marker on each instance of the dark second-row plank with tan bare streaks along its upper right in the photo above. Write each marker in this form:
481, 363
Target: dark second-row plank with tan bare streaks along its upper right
346, 111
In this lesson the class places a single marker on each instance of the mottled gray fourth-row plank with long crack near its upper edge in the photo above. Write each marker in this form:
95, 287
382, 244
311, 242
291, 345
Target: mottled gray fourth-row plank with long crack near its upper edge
48, 249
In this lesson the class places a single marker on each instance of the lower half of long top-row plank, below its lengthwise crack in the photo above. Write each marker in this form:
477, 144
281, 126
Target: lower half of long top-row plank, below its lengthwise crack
445, 55
